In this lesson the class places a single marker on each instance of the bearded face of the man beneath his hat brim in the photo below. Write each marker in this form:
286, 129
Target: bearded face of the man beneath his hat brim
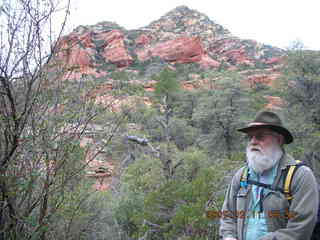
263, 149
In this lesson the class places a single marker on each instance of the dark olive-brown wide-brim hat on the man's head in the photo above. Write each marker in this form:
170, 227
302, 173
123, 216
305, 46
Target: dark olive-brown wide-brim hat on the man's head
271, 121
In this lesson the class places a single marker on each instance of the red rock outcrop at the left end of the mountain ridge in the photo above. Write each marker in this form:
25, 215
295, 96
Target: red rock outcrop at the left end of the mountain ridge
77, 53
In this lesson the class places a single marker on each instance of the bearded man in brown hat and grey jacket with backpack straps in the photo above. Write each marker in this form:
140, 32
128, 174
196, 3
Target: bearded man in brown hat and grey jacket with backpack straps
255, 206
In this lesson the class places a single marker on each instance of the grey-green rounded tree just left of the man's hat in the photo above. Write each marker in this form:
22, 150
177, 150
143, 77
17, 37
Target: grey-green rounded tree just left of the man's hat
220, 112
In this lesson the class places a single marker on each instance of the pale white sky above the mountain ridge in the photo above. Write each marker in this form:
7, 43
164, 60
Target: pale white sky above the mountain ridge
278, 23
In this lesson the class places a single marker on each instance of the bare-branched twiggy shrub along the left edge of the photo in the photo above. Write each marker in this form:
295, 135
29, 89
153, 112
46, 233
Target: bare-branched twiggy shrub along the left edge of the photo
42, 120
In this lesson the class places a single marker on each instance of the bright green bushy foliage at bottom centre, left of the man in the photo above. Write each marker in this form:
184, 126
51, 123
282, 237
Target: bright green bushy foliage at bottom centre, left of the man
177, 207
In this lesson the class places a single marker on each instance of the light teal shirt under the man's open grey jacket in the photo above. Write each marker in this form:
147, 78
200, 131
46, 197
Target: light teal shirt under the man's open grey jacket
256, 222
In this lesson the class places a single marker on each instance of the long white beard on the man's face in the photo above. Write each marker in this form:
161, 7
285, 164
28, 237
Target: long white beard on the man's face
260, 161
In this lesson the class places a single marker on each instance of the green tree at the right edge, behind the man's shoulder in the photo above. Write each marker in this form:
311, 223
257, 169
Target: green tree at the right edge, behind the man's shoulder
301, 92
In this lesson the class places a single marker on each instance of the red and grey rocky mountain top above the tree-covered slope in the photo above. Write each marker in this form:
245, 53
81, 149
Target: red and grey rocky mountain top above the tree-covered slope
181, 36
